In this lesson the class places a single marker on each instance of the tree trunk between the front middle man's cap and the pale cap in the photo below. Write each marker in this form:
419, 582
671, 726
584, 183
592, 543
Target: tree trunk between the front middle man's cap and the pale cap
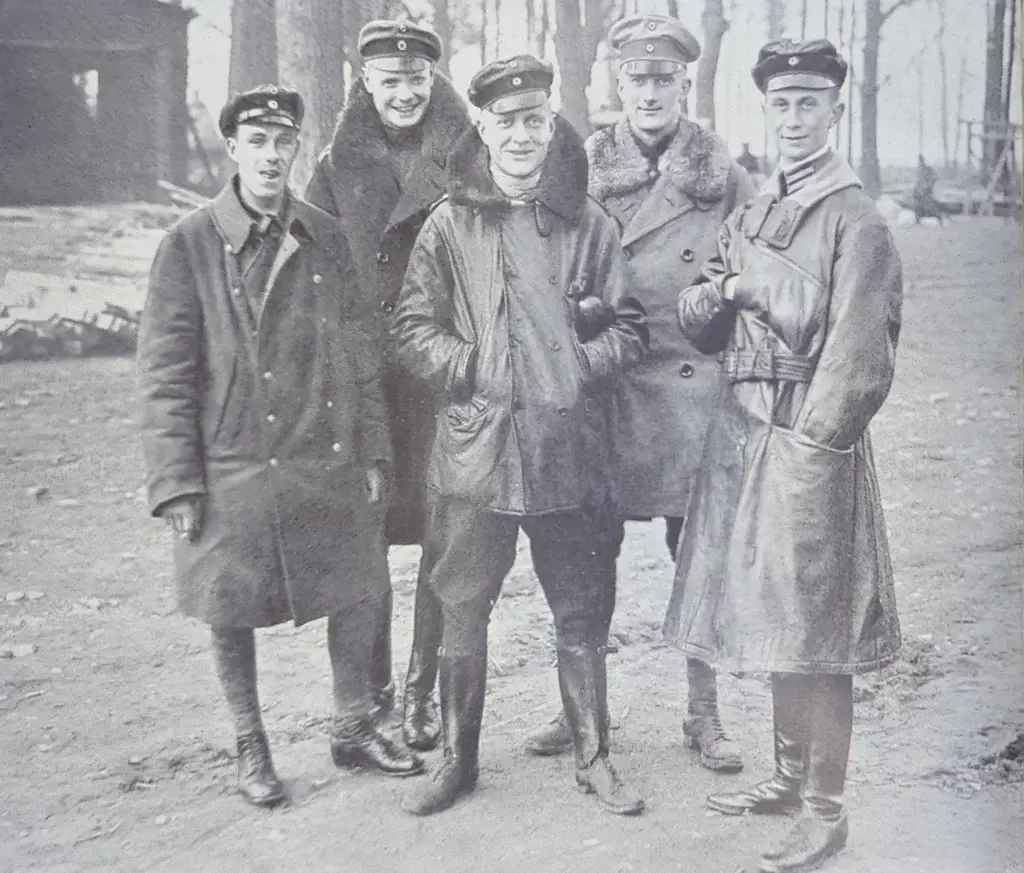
576, 50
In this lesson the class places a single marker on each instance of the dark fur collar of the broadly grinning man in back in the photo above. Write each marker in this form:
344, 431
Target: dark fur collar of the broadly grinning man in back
359, 145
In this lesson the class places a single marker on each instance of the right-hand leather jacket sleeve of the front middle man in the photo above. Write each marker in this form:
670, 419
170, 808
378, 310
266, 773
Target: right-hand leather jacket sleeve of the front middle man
625, 342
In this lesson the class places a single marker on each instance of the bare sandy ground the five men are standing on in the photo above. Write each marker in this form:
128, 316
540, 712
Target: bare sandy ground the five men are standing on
116, 751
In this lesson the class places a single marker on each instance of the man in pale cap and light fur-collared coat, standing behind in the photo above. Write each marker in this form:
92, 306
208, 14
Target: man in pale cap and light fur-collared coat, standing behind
669, 185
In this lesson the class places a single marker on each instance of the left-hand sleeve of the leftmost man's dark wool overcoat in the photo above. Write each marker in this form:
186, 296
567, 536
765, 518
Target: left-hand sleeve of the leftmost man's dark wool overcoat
168, 364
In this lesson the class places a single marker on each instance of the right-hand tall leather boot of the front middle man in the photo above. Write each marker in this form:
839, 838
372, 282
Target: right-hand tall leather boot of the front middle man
584, 685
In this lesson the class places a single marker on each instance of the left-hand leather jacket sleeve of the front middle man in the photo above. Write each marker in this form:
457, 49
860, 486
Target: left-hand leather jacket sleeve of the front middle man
421, 326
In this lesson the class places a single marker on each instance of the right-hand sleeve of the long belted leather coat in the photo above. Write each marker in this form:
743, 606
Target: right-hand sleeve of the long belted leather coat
858, 362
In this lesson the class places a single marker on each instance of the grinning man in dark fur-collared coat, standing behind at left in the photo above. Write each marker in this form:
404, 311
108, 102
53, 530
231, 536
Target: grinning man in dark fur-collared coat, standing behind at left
385, 169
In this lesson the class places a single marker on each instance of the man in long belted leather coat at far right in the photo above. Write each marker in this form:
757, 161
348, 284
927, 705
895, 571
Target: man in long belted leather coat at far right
784, 563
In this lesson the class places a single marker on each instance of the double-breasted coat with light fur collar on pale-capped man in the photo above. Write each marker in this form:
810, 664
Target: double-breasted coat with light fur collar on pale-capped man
669, 220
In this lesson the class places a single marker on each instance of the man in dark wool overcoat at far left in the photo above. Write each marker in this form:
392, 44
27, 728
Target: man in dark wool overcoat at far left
266, 434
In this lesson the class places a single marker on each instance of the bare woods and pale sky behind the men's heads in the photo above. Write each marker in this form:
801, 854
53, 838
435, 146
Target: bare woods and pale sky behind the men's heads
311, 46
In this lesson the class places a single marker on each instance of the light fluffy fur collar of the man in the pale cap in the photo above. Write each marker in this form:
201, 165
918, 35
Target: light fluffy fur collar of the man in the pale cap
697, 162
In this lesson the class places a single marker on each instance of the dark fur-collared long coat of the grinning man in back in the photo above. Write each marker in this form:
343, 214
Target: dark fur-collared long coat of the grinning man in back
381, 211
